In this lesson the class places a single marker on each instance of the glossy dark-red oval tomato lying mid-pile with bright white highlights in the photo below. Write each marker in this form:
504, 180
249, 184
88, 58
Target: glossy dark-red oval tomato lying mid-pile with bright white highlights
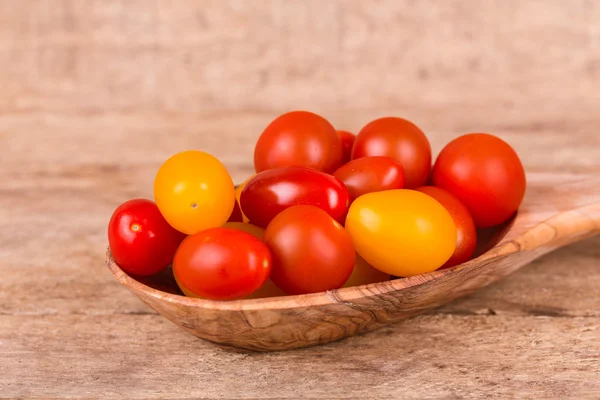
272, 191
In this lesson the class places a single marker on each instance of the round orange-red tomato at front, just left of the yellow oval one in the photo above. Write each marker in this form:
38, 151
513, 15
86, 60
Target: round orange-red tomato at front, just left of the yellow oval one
311, 251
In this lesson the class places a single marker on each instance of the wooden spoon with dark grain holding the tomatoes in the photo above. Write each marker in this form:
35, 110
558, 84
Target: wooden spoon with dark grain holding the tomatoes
557, 210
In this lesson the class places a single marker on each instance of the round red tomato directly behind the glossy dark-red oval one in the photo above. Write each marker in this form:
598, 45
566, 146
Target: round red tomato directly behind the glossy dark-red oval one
298, 138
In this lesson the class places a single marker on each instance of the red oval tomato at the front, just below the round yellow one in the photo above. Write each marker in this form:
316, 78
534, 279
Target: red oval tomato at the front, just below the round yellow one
222, 264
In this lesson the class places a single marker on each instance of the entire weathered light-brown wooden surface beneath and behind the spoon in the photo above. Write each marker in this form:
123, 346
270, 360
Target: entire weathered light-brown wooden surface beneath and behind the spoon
95, 95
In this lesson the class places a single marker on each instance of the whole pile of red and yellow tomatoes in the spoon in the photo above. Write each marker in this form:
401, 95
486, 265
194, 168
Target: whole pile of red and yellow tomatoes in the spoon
326, 209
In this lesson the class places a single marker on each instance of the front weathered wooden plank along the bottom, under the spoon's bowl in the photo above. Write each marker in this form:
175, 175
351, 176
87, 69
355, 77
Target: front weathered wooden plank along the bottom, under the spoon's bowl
436, 356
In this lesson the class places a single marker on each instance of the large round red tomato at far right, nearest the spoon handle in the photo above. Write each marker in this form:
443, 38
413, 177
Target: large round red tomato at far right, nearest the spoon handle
485, 174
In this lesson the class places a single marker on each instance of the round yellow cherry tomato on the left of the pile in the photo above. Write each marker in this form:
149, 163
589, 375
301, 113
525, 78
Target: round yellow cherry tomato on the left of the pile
194, 192
